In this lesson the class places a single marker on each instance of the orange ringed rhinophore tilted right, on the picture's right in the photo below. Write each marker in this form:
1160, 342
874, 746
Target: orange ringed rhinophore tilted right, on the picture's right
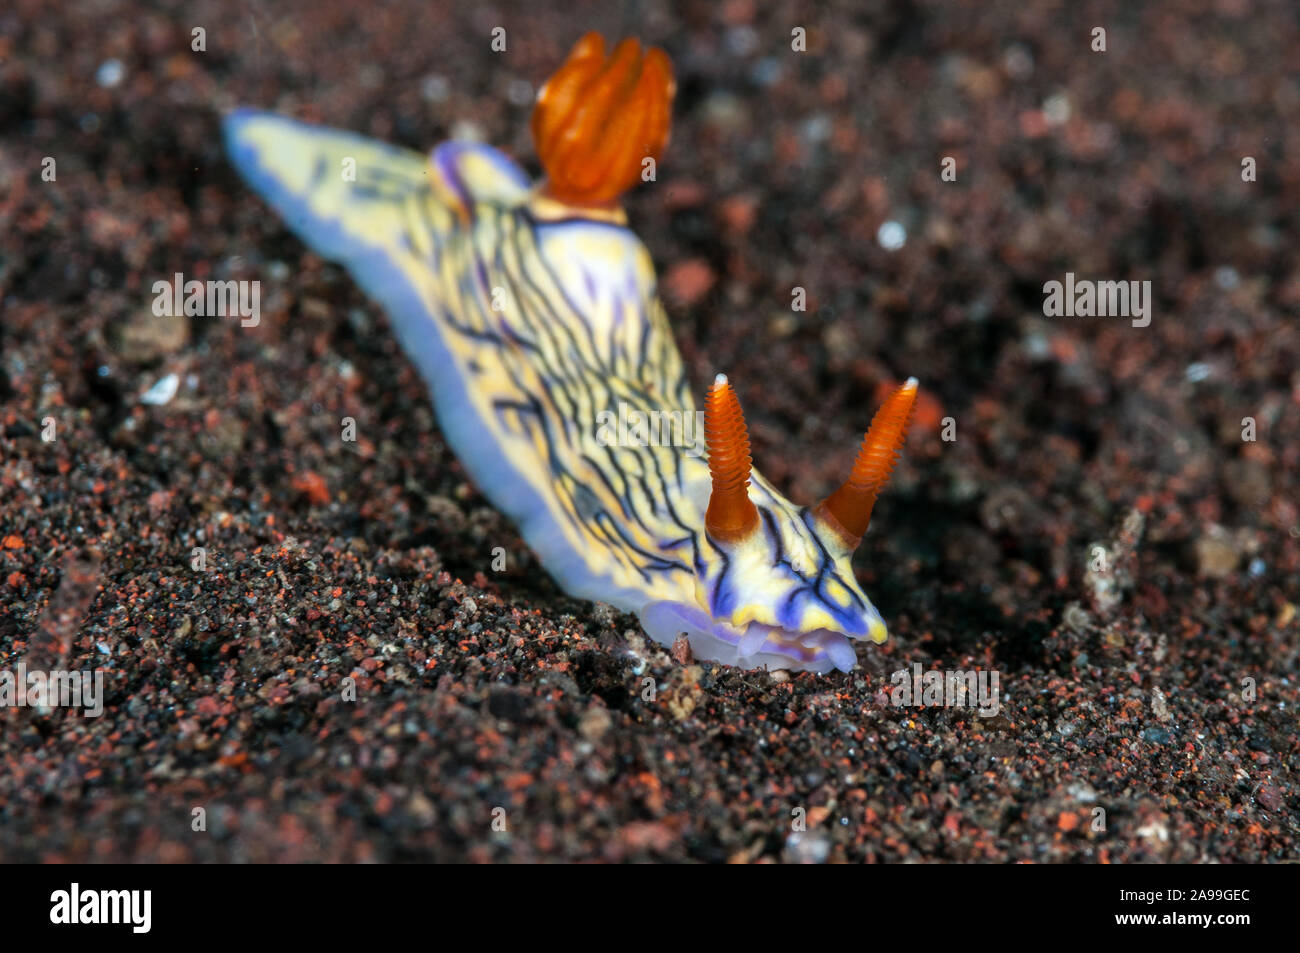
848, 510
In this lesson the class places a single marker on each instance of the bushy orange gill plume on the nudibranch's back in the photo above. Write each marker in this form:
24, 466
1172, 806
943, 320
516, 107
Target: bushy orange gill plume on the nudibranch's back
599, 119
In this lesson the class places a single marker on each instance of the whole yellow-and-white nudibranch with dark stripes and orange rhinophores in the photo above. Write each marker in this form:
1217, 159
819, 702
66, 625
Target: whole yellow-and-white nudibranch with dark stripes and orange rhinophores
531, 310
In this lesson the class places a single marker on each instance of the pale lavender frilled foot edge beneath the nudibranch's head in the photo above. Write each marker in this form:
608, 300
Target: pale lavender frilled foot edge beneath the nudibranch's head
753, 647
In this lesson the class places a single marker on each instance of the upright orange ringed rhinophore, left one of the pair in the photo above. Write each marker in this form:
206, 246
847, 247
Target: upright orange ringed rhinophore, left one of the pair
731, 514
